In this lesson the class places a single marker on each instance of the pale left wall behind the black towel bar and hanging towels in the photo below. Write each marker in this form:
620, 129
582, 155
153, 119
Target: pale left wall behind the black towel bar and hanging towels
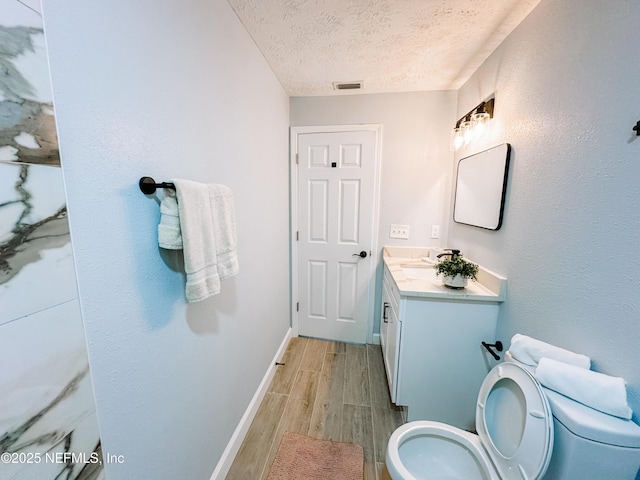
169, 89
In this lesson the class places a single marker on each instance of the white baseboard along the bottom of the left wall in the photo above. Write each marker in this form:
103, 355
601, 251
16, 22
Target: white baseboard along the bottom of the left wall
229, 454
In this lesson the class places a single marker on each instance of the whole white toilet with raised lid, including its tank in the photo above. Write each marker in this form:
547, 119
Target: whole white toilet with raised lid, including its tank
515, 440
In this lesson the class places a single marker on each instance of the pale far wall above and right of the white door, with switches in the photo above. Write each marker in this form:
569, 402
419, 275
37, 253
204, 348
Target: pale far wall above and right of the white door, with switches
415, 173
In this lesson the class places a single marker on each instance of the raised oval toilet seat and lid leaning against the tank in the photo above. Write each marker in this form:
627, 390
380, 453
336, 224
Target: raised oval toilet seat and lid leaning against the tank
514, 422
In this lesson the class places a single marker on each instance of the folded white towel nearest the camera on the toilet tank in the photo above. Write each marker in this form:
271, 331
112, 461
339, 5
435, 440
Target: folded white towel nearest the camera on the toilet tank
596, 390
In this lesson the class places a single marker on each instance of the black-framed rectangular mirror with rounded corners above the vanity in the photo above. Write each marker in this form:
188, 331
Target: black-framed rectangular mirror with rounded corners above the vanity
481, 185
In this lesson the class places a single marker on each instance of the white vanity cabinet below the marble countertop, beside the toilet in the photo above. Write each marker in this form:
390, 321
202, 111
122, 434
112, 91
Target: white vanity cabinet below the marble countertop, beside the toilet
432, 351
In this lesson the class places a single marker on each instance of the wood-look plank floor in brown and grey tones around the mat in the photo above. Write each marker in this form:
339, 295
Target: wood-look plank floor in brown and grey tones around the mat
327, 390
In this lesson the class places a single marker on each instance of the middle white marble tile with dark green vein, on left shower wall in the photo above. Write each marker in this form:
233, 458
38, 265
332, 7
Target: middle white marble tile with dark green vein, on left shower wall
36, 261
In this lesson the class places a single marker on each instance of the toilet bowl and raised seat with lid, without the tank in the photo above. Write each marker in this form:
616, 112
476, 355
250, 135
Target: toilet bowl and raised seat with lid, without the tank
514, 441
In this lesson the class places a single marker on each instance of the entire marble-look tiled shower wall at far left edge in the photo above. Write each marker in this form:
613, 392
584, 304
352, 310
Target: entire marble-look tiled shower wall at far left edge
47, 408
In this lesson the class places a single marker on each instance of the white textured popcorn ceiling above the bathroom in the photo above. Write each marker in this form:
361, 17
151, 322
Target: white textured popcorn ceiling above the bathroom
389, 45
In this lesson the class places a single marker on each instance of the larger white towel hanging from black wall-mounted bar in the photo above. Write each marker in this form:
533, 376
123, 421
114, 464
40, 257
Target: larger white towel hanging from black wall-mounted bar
208, 227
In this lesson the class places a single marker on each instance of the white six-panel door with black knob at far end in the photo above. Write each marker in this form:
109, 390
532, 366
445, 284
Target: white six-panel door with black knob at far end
336, 174
